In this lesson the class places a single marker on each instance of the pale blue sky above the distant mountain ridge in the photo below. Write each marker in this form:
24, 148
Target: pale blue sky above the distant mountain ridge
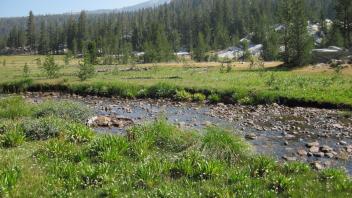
11, 8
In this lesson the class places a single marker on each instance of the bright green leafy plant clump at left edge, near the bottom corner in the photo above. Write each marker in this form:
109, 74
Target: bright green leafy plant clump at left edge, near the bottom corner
8, 179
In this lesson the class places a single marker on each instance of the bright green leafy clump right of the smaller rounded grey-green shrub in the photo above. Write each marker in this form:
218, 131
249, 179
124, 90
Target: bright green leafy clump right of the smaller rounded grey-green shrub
78, 133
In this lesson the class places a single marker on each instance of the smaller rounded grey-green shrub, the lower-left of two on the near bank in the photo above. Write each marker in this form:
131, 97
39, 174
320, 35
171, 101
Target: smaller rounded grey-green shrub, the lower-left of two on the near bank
42, 128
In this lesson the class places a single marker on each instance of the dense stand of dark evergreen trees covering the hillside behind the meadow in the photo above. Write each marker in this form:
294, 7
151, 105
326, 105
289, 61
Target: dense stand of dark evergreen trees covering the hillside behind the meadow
197, 26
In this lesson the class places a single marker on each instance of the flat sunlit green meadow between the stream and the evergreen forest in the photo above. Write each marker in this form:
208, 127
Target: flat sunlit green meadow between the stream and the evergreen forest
321, 87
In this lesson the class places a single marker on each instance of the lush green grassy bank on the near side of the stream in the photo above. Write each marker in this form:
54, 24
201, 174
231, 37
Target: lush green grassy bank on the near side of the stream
42, 154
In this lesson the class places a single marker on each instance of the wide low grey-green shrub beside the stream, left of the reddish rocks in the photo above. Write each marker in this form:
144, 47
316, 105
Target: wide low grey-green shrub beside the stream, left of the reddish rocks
66, 110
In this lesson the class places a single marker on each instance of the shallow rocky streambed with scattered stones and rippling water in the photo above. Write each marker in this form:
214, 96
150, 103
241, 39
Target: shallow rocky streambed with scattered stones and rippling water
320, 137
